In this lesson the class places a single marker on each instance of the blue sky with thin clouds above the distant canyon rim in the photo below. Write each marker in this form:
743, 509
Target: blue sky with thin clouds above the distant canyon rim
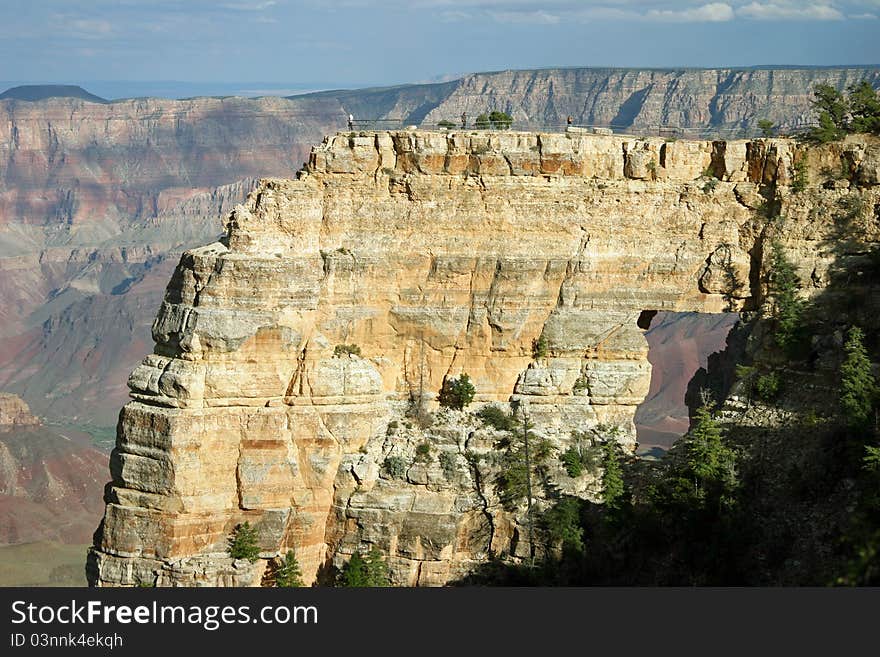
320, 43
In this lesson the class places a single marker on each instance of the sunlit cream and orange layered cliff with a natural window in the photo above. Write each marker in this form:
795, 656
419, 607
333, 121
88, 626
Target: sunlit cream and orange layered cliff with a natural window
437, 255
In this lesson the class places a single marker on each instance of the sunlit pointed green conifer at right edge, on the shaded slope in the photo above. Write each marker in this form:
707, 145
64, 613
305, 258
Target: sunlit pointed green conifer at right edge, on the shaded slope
858, 389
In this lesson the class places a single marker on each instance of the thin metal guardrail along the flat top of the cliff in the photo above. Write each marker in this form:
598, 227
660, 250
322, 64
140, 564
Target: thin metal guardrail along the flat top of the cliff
665, 131
